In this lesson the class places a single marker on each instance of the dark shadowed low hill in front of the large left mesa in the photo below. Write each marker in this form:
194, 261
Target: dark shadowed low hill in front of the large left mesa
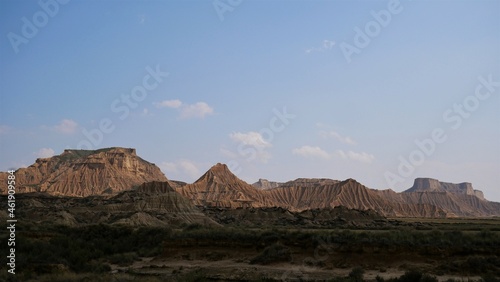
150, 204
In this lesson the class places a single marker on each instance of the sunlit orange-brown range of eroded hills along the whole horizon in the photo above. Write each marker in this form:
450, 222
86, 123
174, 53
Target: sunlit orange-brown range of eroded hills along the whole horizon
81, 173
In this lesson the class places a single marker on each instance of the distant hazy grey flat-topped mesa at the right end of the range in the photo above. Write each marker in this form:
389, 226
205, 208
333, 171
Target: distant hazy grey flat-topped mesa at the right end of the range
434, 185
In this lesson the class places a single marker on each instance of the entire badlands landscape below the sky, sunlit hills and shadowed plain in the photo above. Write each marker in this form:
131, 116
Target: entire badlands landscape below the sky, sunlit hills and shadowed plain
109, 215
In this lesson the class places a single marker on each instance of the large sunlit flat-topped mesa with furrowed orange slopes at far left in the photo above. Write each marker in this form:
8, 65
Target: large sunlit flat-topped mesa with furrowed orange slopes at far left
87, 172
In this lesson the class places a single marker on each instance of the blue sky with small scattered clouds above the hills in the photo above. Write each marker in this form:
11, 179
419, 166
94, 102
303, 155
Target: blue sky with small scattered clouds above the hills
379, 91
